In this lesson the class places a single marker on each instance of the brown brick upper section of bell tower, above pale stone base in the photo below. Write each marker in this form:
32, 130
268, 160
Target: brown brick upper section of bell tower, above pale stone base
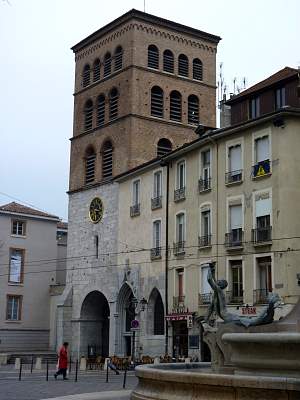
142, 84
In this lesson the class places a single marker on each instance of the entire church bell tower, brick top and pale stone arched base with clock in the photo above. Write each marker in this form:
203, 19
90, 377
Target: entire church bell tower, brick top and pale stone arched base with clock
142, 85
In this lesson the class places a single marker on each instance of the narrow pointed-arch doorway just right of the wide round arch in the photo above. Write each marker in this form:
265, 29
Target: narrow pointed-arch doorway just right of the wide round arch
126, 313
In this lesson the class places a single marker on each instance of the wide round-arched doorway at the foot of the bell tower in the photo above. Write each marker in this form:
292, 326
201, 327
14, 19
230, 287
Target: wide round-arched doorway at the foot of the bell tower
94, 325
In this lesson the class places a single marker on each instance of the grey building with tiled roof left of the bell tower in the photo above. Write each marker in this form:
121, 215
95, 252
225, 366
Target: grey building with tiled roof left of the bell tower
32, 259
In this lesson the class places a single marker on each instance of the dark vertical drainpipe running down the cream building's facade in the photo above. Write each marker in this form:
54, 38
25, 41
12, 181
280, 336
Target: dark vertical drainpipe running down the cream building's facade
166, 164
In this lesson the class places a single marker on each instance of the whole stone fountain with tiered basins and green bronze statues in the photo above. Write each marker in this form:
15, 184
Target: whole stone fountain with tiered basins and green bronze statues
252, 358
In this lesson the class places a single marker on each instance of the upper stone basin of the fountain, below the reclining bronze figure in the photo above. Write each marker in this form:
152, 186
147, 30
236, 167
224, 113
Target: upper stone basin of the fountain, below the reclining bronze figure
276, 353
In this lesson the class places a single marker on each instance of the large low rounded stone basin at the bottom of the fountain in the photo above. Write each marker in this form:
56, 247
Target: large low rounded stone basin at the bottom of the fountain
195, 381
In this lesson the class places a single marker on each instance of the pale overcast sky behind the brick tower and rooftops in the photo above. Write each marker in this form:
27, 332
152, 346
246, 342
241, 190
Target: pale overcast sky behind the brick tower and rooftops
259, 37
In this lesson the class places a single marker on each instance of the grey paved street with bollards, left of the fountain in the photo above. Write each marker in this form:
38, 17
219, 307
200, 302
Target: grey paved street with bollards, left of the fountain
35, 387
